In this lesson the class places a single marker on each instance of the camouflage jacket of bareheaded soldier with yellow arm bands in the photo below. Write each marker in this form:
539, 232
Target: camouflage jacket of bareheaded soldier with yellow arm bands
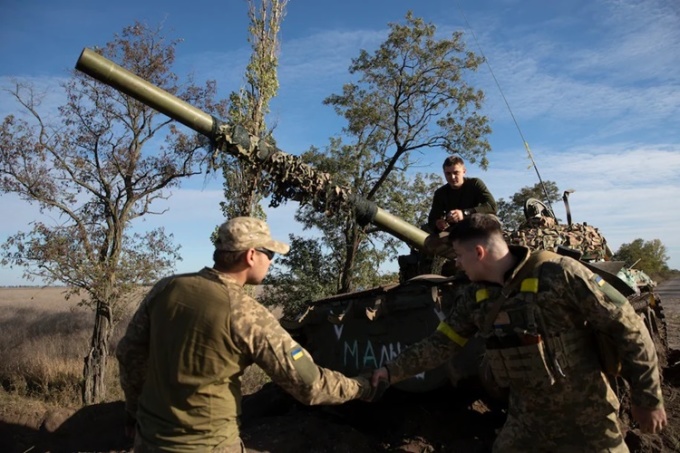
570, 301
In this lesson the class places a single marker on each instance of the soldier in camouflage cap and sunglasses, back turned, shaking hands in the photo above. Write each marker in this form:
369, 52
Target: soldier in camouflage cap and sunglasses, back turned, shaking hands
184, 352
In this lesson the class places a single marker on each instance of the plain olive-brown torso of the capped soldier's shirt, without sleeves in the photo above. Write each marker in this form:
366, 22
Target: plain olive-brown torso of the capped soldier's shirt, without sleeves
192, 394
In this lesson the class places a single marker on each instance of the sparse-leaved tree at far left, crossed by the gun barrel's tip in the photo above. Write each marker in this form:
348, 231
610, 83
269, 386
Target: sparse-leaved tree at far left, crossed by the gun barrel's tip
97, 167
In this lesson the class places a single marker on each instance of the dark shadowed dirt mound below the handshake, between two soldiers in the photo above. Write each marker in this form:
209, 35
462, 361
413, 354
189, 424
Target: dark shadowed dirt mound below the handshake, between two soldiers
443, 420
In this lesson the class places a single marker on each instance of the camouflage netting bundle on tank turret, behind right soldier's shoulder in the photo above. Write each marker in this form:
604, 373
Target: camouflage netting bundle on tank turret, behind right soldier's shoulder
544, 234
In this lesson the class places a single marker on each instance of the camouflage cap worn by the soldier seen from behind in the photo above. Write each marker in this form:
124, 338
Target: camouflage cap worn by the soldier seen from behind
243, 233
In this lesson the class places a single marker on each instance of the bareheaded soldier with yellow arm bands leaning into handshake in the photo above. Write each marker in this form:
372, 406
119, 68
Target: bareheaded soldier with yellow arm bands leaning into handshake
538, 314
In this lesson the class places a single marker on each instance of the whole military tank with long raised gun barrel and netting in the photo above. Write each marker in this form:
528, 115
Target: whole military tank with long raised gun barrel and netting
362, 330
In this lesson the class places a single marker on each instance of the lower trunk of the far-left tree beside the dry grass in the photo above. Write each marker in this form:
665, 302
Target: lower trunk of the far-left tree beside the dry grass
94, 371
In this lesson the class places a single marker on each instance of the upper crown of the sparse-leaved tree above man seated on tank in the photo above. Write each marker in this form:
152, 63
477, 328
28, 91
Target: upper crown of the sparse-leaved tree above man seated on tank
412, 94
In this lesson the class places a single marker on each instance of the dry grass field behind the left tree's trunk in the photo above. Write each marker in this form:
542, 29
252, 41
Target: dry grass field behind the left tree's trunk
44, 340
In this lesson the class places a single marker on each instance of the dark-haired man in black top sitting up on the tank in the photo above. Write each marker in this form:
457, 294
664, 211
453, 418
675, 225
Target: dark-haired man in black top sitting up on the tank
459, 197
